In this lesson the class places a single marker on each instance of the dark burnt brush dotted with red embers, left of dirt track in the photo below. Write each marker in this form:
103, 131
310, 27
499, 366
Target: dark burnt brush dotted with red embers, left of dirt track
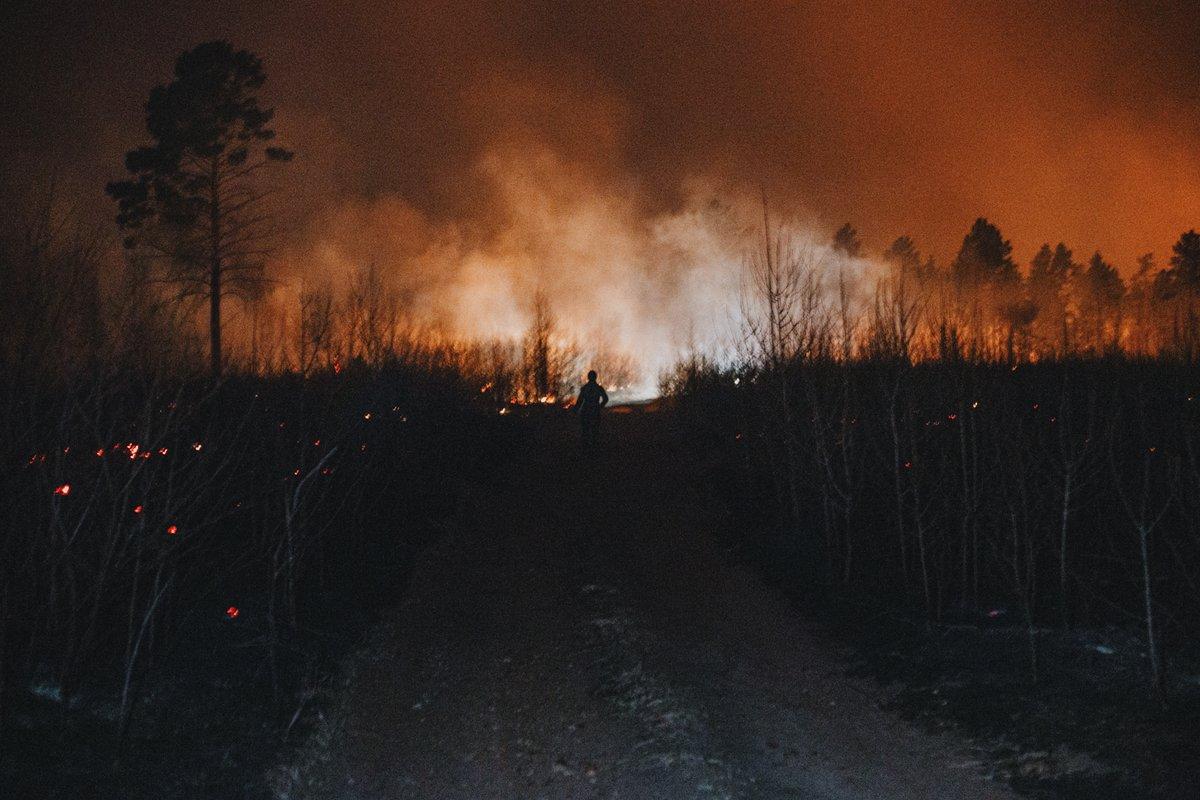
183, 566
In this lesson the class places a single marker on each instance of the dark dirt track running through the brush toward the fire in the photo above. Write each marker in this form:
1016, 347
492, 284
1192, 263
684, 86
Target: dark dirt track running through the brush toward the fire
580, 635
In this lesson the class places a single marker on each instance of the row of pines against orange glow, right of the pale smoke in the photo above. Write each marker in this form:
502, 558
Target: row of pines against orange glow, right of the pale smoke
983, 306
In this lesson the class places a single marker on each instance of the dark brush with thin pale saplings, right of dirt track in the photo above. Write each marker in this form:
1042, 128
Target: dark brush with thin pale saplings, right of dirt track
1017, 544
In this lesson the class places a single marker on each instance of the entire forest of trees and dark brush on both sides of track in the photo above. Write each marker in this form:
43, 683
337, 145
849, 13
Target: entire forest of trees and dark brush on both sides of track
217, 484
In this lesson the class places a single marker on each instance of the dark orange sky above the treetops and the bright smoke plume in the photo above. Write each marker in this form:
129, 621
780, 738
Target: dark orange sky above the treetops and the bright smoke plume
1054, 119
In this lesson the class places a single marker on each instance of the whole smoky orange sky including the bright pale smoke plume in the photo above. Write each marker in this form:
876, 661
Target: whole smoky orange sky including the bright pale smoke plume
613, 154
